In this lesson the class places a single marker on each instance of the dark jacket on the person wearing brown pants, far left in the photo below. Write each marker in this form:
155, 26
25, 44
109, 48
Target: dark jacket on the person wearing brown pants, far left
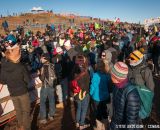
15, 76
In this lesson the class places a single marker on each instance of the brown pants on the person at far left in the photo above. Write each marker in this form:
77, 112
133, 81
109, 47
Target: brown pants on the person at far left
22, 107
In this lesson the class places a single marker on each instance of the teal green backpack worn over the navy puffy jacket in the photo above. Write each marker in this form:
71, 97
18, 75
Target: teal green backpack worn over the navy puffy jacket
146, 97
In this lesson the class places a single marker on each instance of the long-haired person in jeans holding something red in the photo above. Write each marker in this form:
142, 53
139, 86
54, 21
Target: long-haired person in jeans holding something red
81, 96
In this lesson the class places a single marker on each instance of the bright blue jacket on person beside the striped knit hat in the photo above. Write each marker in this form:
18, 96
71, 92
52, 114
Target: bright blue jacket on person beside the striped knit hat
99, 86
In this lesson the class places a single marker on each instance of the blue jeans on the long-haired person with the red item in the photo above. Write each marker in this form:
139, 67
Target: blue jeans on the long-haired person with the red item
82, 107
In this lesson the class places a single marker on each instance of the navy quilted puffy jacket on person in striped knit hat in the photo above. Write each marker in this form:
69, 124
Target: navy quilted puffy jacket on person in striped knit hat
126, 107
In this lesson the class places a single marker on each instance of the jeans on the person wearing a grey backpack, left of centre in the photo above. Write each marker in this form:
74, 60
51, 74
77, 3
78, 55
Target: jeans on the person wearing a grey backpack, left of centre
47, 92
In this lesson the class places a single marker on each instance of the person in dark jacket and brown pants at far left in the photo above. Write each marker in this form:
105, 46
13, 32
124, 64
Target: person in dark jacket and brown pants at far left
15, 75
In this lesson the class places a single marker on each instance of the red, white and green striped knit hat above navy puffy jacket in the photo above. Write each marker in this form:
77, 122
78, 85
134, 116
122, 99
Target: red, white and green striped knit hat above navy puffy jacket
119, 72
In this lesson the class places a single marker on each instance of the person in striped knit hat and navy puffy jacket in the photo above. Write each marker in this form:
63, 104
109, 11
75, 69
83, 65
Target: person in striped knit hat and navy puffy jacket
126, 103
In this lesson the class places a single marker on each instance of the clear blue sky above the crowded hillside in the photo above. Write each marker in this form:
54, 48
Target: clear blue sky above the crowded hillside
126, 10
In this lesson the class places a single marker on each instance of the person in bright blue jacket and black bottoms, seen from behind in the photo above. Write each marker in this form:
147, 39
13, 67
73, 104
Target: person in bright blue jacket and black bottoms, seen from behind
99, 91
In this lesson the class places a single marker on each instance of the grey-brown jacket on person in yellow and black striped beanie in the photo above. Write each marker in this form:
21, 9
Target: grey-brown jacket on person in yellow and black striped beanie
141, 75
